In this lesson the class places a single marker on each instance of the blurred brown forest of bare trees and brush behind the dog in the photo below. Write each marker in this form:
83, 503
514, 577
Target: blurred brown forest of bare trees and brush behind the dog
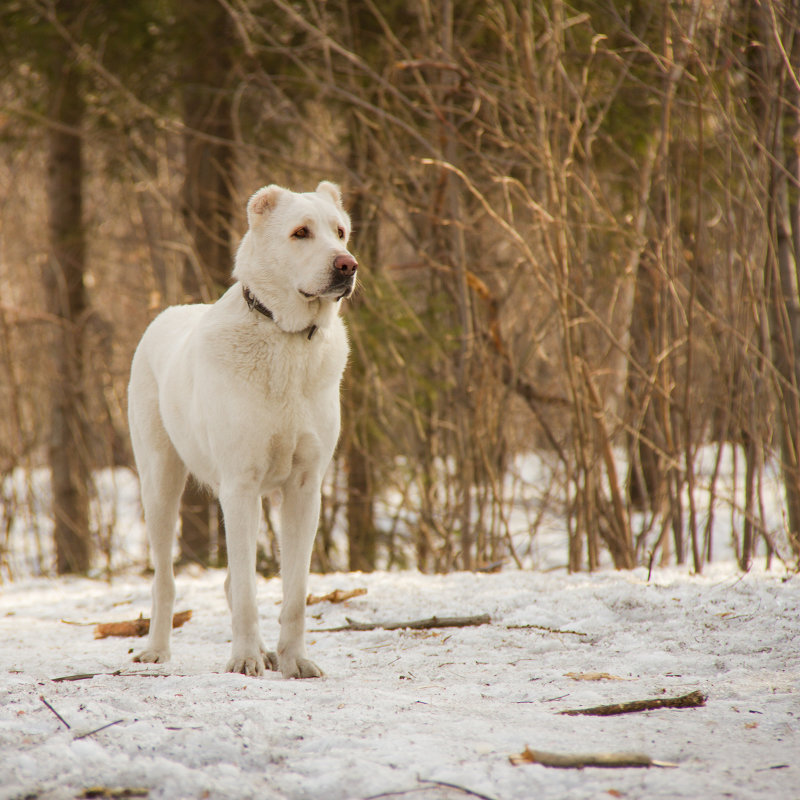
578, 225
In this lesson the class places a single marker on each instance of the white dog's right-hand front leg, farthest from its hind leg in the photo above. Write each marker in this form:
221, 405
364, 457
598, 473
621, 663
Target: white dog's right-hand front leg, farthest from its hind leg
299, 519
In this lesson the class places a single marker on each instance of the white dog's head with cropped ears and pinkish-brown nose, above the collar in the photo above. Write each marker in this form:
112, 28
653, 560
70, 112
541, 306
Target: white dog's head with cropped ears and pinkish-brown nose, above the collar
297, 243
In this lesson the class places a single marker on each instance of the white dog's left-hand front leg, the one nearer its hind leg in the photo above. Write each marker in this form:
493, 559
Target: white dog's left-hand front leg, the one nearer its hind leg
241, 510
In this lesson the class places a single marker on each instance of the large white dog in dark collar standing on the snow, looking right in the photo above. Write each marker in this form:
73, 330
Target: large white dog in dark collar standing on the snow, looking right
244, 395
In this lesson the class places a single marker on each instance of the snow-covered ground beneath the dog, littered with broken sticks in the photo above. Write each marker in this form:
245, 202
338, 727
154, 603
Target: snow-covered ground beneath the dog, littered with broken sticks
403, 713
